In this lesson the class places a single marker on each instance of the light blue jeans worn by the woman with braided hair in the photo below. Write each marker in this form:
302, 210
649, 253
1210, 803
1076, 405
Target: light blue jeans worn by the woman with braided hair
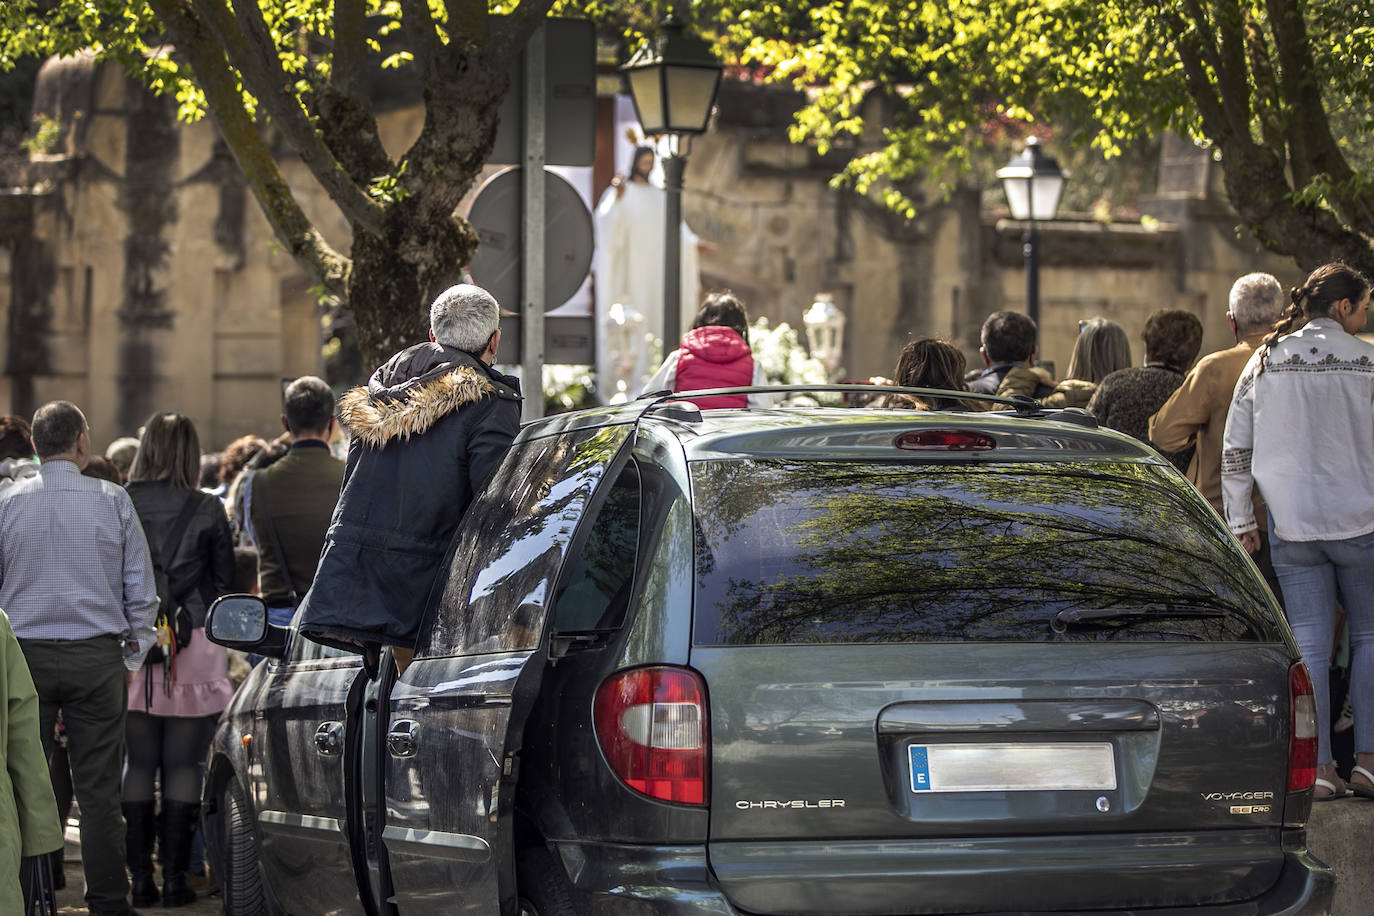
1316, 577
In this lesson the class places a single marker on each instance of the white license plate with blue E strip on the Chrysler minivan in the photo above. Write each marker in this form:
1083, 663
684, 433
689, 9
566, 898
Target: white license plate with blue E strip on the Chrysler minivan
1012, 768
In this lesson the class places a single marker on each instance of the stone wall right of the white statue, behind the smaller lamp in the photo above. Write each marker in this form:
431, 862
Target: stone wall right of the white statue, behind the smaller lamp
781, 234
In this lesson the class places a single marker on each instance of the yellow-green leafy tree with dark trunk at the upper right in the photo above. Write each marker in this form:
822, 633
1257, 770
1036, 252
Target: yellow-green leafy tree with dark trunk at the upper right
1283, 91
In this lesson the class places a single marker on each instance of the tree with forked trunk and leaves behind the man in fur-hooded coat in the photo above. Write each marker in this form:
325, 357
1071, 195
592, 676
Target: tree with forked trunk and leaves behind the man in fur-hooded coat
303, 67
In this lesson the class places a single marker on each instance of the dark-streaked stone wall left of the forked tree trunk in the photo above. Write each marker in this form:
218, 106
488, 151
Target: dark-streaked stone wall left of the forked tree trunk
149, 282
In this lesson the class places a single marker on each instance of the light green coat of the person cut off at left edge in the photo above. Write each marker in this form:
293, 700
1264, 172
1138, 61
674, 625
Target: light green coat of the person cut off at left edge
28, 810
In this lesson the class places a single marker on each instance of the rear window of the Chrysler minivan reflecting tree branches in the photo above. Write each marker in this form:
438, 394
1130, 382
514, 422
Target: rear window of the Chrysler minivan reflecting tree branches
798, 553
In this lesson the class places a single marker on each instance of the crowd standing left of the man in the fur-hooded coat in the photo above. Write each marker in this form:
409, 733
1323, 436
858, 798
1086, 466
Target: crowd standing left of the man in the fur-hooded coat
108, 569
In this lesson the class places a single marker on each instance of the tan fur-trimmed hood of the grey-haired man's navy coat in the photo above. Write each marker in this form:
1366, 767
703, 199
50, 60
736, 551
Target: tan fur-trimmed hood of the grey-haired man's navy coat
418, 388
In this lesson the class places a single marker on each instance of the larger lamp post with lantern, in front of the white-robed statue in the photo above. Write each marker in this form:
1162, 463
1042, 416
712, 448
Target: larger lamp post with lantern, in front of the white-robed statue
674, 79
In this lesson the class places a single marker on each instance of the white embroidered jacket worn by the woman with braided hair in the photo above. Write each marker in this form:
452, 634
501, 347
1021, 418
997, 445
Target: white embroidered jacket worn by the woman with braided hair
1303, 432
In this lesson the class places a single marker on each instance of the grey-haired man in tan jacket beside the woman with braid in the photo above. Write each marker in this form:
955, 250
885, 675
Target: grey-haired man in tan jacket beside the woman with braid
1196, 414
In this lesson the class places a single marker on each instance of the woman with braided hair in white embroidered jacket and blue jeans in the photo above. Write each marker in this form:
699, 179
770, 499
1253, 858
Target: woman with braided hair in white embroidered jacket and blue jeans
1302, 429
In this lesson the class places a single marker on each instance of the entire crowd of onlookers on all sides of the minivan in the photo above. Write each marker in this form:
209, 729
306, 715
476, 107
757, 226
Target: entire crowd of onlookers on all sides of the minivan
109, 564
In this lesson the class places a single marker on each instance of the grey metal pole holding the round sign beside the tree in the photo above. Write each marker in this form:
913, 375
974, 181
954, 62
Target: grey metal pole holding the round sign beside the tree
532, 231
